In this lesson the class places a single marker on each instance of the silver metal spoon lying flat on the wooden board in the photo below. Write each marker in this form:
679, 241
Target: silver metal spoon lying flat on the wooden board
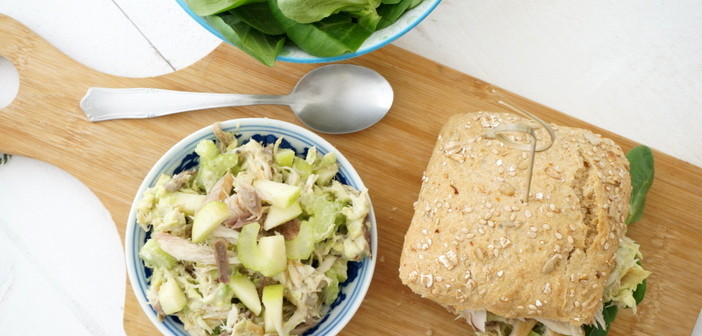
336, 99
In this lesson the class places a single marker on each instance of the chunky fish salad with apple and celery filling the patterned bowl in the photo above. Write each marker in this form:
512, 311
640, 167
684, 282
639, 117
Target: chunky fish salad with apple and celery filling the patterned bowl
255, 241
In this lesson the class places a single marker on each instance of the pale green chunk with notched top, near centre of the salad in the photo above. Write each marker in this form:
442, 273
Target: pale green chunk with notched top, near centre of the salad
266, 256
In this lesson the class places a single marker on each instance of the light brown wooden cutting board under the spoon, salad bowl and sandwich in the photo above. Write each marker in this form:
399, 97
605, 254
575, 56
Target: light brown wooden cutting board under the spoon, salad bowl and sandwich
112, 158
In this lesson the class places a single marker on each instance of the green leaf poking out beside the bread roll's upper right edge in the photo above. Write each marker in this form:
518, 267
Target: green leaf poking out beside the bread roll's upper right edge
642, 173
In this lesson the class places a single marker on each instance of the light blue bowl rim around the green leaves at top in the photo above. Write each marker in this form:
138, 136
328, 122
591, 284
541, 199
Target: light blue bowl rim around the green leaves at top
377, 40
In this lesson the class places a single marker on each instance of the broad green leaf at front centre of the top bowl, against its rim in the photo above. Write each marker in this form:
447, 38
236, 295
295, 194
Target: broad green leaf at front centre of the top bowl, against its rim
307, 36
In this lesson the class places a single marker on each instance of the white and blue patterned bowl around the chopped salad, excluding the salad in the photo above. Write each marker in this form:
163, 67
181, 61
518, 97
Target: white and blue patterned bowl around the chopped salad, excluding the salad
182, 156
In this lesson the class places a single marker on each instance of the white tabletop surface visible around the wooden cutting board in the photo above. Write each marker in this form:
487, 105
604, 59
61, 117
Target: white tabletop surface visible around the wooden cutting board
634, 68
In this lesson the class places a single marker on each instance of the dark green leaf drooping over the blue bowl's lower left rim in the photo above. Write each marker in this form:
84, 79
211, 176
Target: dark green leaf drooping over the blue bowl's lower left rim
262, 47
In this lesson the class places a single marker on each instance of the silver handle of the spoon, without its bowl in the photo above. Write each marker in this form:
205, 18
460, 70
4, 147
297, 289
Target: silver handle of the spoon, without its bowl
106, 104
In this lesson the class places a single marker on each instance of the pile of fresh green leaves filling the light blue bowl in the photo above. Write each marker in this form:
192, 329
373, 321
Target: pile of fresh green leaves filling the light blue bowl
321, 28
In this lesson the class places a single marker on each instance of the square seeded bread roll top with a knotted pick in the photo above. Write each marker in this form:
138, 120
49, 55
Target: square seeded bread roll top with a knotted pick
474, 245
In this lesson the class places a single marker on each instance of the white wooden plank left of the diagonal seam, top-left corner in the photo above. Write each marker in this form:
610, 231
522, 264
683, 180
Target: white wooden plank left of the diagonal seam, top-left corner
93, 32
